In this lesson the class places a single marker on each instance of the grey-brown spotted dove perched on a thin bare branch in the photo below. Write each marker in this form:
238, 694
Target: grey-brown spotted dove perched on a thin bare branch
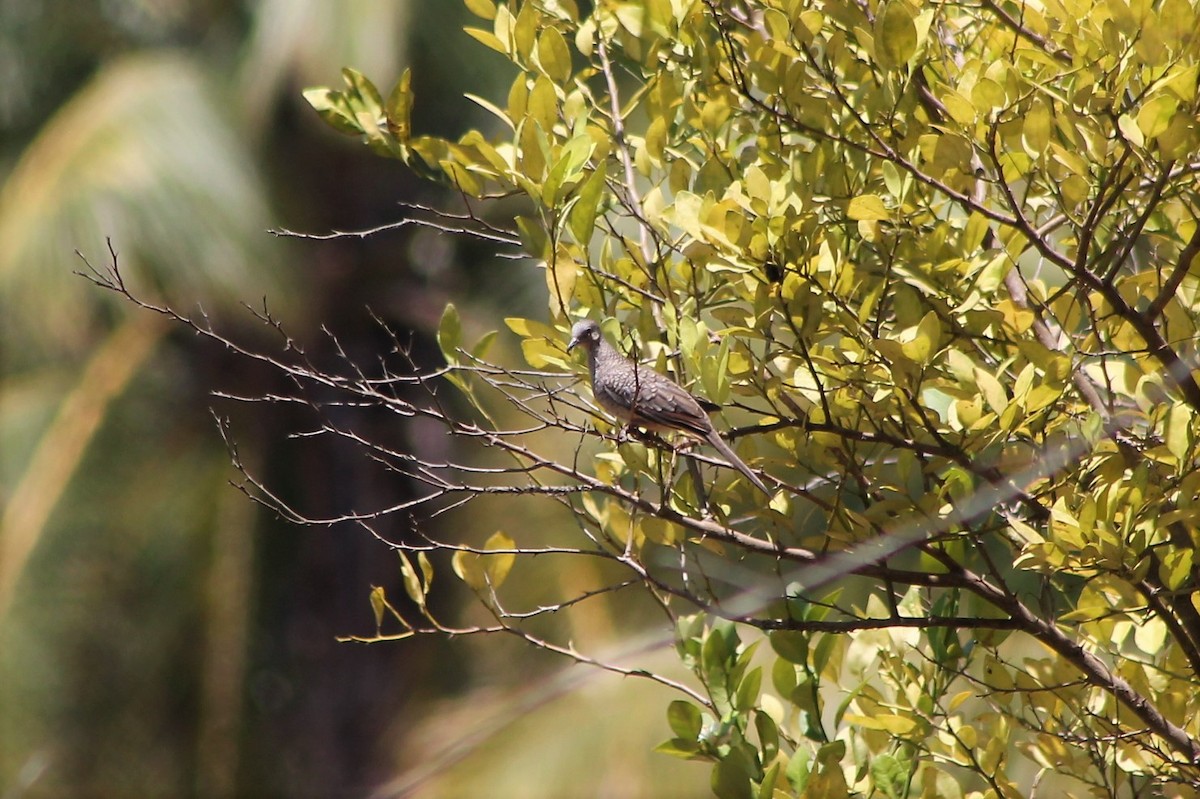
640, 397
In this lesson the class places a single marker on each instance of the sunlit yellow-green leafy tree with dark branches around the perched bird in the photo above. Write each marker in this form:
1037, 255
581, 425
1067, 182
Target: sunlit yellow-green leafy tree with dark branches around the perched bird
939, 259
